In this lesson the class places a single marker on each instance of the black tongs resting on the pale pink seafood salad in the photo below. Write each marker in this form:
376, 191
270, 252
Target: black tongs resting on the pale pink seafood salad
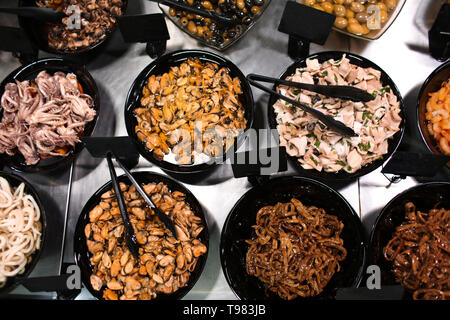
343, 92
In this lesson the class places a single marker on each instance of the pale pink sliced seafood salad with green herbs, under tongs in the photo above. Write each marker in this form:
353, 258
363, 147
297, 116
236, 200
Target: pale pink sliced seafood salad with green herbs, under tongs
319, 148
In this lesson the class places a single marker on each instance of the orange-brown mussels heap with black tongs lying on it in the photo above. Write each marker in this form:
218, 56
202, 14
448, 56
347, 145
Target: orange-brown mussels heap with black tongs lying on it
165, 263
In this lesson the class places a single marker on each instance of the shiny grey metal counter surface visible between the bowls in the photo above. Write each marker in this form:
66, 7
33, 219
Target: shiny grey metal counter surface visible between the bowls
401, 52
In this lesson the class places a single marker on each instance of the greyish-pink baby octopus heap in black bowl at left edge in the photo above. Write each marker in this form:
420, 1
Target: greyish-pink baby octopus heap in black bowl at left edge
44, 117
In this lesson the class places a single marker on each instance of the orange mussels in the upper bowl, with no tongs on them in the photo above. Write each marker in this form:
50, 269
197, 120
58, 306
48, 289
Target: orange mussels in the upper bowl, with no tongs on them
192, 110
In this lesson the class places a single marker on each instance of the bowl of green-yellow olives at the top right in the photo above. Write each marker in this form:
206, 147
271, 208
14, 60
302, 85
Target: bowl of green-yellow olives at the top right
364, 19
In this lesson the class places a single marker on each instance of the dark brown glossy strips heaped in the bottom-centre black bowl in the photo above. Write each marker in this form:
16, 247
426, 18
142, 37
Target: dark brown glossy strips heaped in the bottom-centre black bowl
297, 249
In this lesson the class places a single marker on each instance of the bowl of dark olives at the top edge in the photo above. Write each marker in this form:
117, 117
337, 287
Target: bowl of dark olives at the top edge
213, 33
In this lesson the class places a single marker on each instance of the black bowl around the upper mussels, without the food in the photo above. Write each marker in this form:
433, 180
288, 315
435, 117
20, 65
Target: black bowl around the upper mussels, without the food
162, 65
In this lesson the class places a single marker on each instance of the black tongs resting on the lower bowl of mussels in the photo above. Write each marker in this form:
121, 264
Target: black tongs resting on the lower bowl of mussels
129, 231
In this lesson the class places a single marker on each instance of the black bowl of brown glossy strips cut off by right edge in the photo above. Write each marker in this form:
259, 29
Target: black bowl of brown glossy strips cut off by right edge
410, 242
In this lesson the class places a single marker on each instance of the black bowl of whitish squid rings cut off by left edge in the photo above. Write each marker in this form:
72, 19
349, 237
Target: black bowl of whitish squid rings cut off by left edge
22, 230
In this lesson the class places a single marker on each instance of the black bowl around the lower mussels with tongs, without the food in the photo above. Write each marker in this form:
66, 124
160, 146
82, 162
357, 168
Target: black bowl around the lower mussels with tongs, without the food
82, 254
